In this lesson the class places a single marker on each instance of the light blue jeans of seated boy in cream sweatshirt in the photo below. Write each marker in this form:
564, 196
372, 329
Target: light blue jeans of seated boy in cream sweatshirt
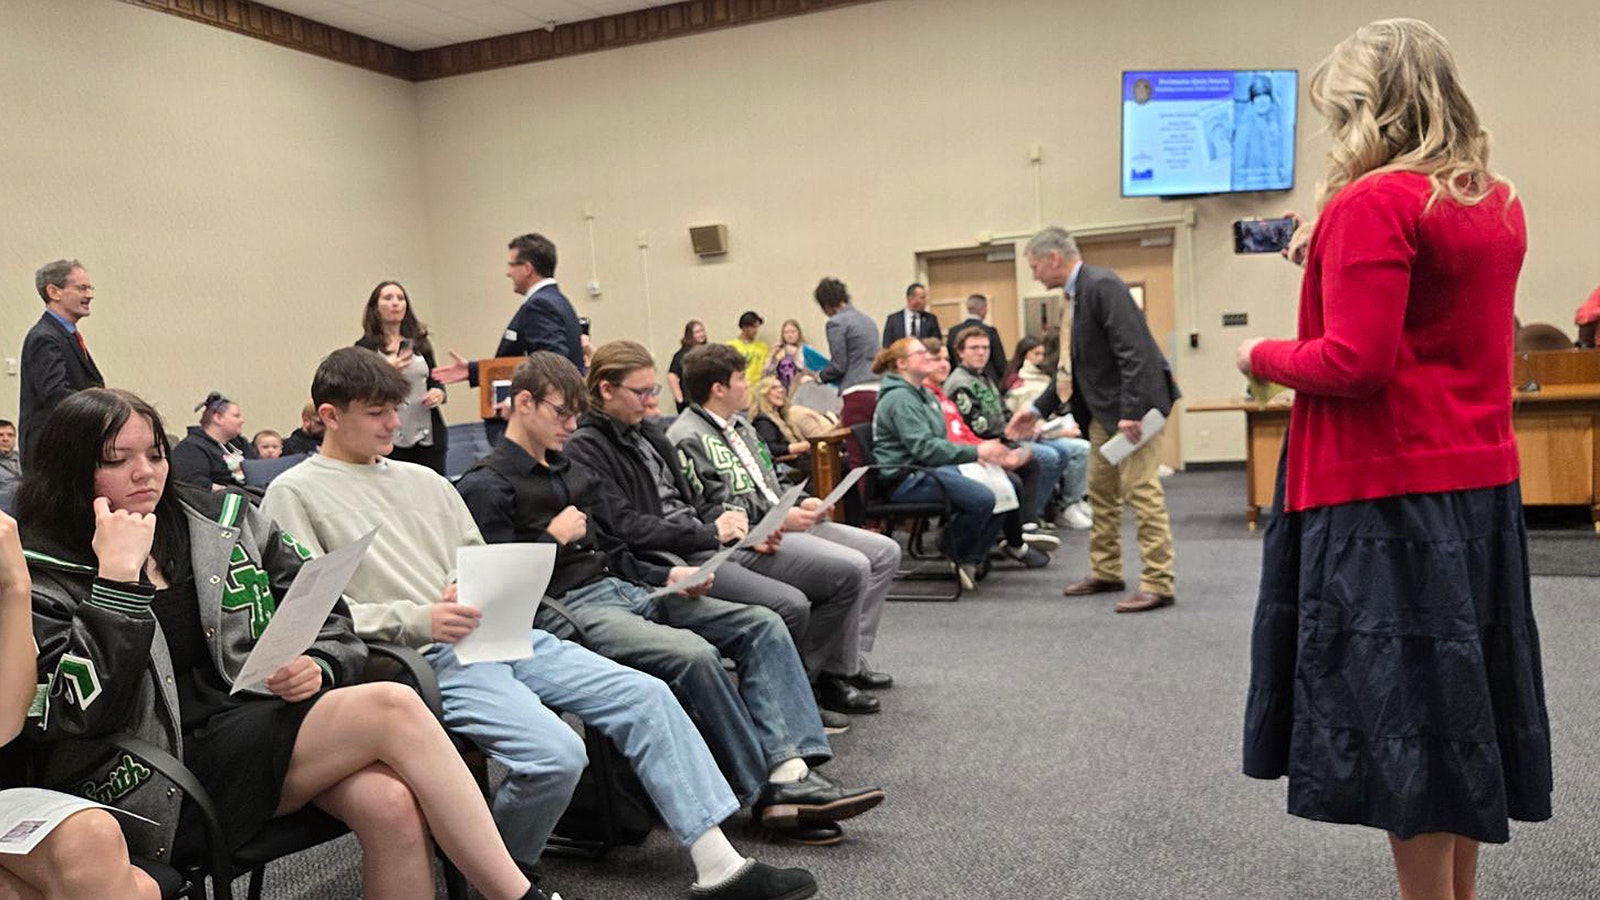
500, 707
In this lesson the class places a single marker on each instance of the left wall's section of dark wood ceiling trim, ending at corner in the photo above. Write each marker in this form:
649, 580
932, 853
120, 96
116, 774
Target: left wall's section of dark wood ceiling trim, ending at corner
295, 33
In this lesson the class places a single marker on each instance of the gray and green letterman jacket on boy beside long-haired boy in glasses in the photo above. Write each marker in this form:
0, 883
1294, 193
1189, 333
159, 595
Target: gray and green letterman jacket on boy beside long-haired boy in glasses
714, 470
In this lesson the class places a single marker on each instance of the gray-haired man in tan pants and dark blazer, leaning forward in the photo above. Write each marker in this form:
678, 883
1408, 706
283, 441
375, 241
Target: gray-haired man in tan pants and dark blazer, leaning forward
1118, 376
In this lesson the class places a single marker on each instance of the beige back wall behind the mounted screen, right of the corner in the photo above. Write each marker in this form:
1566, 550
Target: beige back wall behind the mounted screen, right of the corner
847, 142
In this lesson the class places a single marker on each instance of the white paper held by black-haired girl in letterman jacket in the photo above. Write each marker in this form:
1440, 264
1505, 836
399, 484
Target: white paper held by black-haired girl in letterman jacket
302, 613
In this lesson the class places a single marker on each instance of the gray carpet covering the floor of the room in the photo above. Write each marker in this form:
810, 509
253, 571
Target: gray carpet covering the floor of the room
1041, 747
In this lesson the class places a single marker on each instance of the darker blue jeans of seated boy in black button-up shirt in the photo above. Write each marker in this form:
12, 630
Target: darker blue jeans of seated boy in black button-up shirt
767, 720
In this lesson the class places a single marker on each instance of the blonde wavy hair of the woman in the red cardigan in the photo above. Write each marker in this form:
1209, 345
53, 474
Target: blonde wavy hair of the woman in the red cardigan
1394, 103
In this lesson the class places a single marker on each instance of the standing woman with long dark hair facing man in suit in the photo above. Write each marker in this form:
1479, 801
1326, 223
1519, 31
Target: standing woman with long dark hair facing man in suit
391, 327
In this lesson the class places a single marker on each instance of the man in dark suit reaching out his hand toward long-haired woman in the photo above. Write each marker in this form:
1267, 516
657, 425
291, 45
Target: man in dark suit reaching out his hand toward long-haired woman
546, 319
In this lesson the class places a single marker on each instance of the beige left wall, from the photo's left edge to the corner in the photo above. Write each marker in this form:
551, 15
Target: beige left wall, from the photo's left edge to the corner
233, 201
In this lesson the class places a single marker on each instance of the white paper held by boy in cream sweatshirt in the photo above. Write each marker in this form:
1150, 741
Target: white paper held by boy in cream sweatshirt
506, 582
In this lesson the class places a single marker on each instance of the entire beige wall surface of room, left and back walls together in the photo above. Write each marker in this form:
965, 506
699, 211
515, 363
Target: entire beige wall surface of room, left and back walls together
236, 201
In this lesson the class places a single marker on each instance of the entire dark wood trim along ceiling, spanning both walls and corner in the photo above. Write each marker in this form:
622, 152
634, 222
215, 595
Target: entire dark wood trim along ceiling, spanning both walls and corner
590, 36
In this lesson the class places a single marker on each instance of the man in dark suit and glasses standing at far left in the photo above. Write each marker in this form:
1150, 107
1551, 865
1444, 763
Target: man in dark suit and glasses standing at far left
57, 361
